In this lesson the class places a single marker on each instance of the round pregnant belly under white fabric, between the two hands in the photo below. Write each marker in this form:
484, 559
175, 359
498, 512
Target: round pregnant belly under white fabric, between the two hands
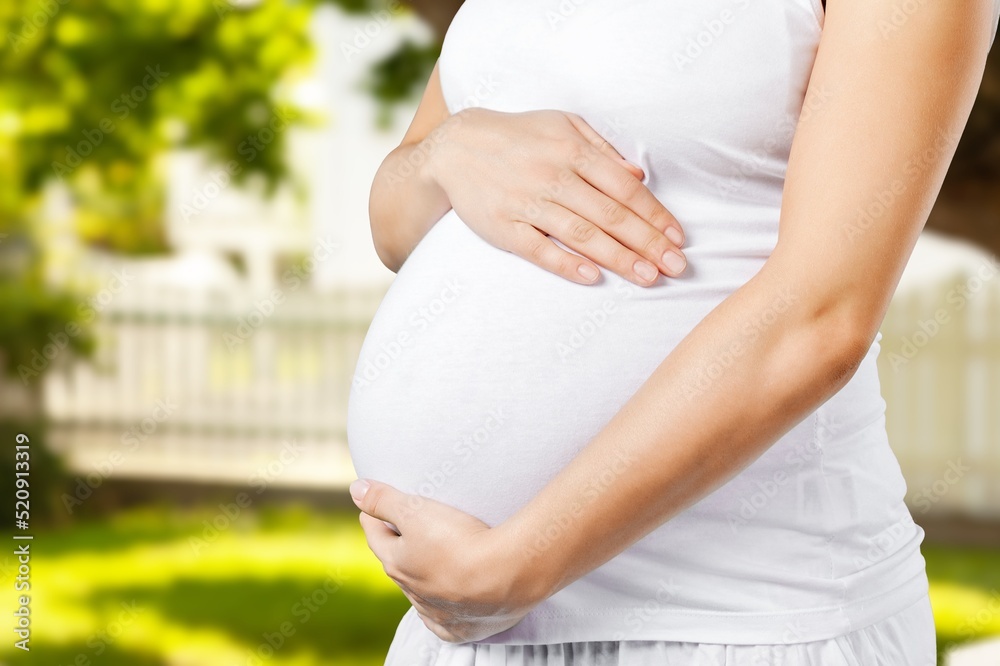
482, 375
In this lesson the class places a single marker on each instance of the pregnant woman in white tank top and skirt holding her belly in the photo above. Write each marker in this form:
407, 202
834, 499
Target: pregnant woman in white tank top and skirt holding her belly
620, 405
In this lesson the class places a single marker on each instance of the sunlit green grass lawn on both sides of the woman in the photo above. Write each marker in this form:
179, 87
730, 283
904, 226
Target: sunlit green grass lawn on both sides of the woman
286, 587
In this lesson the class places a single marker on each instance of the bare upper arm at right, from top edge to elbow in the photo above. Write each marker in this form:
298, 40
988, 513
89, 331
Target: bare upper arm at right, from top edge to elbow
893, 92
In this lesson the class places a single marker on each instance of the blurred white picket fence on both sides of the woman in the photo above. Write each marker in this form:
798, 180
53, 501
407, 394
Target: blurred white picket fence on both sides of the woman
267, 402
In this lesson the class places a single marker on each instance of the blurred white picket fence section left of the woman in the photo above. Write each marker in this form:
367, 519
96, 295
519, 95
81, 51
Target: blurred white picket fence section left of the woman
219, 386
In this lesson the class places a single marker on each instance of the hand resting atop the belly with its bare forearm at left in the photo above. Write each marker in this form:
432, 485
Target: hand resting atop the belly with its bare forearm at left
516, 178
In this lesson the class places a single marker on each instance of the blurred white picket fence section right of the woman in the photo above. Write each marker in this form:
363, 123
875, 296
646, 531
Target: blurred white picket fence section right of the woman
940, 371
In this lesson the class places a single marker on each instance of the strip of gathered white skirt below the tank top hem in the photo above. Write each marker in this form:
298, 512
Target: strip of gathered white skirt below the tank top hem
904, 639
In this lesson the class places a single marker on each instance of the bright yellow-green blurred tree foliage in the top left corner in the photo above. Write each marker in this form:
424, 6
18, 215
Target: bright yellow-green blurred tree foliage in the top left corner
91, 92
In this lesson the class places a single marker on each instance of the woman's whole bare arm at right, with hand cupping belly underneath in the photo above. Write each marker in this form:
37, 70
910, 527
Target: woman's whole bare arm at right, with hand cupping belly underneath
863, 174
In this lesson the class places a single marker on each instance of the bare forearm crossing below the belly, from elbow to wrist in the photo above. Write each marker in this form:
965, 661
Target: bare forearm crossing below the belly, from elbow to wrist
757, 365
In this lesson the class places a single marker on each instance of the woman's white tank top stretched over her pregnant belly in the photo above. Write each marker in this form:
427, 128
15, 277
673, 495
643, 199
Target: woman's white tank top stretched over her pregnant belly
482, 375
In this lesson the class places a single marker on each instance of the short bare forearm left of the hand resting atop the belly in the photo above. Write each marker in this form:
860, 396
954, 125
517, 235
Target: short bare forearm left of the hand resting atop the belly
404, 203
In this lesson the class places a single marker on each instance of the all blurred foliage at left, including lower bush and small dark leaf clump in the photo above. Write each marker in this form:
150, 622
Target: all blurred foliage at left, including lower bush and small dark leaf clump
92, 93
